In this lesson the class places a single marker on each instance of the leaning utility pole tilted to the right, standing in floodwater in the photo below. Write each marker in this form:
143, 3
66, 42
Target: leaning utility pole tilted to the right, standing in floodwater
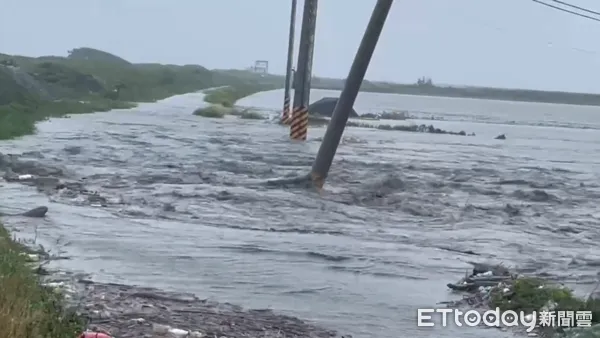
336, 126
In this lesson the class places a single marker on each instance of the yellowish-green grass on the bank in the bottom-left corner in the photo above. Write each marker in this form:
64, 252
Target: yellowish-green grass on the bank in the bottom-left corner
27, 309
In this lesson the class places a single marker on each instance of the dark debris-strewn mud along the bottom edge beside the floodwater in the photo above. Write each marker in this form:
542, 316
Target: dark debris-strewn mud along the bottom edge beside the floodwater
133, 312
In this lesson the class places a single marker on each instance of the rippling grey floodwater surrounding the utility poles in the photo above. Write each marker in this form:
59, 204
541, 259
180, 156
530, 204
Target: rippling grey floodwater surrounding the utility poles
361, 258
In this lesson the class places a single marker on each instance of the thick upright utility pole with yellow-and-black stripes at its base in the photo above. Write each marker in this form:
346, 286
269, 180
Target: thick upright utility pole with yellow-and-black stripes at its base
299, 122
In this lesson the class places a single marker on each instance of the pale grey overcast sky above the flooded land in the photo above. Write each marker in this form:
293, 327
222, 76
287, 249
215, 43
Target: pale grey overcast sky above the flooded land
504, 43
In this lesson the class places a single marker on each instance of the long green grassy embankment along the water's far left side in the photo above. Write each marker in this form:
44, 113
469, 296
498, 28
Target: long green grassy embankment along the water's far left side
89, 80
